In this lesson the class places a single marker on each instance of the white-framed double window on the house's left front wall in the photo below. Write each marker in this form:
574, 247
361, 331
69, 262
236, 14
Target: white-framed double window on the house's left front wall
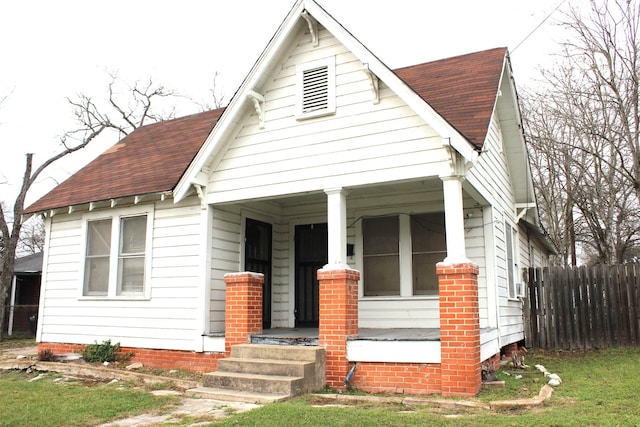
116, 256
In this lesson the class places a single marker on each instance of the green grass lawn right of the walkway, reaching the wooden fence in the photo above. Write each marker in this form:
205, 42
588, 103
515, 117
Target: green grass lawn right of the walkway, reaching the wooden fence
600, 388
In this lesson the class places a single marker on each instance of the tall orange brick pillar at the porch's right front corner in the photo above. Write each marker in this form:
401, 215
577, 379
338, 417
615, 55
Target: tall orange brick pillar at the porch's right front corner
459, 329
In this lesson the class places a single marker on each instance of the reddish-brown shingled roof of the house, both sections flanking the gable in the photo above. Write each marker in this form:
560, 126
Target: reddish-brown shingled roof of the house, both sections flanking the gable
153, 158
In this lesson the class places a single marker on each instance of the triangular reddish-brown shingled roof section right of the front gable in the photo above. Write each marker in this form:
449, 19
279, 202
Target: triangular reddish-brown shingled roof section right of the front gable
462, 89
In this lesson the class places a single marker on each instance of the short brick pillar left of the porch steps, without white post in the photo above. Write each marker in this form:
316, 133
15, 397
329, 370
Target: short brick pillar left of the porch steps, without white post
243, 307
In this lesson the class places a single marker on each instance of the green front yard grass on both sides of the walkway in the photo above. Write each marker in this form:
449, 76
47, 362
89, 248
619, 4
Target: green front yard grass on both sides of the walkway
598, 388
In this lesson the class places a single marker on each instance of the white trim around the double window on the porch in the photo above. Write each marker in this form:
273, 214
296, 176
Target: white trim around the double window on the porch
405, 257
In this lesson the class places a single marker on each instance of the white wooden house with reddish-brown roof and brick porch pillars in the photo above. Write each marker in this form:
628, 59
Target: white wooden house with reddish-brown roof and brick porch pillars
324, 159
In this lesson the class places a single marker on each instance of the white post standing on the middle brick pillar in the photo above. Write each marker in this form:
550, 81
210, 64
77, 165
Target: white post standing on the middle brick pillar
337, 228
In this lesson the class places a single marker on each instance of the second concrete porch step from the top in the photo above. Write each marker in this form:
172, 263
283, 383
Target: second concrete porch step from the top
290, 368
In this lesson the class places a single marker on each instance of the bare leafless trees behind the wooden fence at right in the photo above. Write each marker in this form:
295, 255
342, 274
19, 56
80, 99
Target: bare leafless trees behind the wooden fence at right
582, 127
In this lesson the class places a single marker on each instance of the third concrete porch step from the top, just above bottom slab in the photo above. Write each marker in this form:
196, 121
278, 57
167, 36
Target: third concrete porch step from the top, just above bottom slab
273, 384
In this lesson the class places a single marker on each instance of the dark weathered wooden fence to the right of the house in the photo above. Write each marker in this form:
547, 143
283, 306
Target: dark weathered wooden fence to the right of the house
584, 307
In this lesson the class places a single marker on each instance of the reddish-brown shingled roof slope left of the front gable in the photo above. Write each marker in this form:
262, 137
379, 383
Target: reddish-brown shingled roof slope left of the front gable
149, 160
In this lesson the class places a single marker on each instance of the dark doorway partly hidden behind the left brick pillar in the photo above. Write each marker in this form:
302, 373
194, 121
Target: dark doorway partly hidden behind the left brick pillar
257, 259
